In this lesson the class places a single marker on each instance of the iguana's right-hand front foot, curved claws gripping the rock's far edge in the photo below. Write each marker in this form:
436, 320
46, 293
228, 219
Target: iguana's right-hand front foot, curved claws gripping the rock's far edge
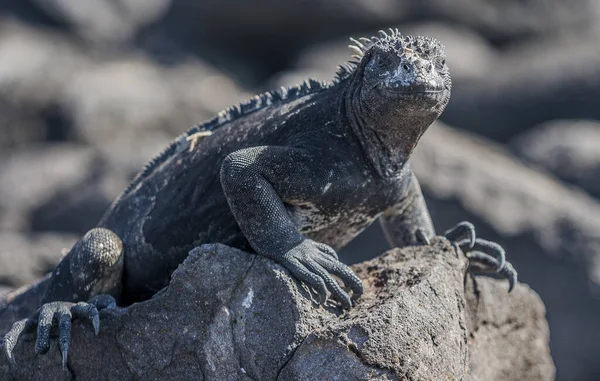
483, 255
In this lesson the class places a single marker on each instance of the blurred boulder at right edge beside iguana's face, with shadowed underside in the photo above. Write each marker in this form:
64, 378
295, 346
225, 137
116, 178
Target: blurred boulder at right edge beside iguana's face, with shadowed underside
535, 81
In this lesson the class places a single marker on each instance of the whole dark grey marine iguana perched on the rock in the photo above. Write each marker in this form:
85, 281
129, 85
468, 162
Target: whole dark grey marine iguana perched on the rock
292, 175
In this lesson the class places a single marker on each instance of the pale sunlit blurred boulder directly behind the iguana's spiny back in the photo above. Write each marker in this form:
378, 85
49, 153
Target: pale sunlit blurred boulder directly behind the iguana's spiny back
155, 103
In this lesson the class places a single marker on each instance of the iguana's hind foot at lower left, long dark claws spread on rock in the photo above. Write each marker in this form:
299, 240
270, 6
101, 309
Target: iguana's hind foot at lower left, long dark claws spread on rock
62, 313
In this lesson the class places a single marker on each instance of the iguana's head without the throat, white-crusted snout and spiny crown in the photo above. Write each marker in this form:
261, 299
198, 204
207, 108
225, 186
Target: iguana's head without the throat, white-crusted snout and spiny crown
406, 70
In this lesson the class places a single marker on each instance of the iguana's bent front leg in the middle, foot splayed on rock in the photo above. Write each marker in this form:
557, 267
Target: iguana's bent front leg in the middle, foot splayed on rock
256, 182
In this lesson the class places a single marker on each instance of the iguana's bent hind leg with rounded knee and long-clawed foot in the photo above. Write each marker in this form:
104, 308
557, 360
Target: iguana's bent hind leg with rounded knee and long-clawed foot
92, 269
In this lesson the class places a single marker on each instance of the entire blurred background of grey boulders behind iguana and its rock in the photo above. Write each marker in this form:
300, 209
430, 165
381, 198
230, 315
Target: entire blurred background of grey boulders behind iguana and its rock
90, 90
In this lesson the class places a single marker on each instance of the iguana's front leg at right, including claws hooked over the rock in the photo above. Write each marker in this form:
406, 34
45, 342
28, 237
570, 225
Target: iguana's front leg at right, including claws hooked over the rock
409, 223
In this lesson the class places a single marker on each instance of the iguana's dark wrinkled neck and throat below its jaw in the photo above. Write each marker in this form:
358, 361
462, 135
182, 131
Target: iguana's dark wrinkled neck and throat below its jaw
387, 134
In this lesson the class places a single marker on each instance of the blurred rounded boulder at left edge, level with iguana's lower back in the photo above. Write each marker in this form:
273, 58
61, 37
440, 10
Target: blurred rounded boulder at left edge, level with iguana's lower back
55, 187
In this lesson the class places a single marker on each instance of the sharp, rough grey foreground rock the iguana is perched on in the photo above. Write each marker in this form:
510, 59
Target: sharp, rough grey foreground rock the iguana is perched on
229, 315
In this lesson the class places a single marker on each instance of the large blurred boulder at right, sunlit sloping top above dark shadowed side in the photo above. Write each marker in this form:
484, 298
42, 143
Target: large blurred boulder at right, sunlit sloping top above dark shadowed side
551, 232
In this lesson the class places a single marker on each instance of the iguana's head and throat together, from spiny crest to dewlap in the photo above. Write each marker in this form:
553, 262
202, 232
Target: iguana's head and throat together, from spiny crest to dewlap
397, 86
